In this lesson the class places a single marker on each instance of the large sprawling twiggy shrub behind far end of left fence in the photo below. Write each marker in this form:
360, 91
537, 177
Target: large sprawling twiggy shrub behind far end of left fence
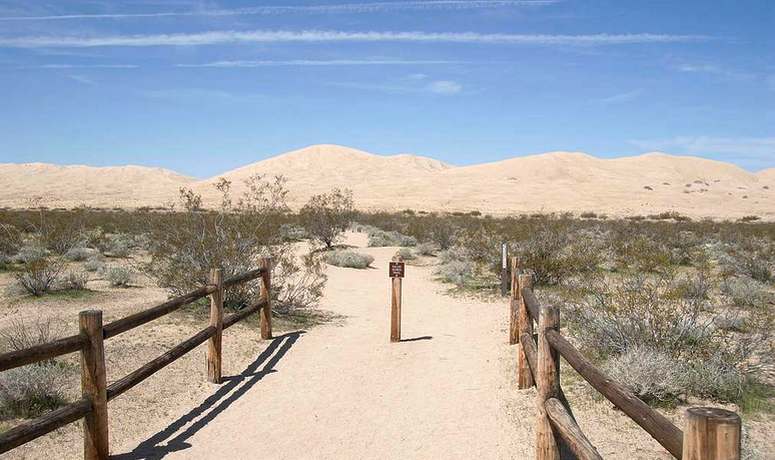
187, 244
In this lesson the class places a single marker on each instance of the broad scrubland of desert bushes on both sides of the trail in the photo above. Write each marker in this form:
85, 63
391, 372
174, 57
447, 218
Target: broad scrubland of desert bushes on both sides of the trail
679, 311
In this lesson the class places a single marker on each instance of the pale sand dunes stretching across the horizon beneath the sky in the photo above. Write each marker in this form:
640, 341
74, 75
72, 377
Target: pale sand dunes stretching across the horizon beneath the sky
549, 182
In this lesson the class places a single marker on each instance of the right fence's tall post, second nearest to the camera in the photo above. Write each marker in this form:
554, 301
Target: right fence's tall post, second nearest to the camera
548, 383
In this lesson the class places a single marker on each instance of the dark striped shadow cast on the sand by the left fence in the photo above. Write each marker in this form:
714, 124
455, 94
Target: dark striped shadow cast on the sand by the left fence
230, 391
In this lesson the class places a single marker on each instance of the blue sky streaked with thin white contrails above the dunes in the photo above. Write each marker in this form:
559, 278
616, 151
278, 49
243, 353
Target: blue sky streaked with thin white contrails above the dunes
202, 87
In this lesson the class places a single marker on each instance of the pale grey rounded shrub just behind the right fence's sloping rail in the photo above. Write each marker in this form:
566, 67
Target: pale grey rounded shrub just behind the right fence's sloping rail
652, 375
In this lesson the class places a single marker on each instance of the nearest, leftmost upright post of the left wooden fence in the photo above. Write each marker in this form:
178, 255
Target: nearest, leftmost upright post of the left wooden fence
93, 386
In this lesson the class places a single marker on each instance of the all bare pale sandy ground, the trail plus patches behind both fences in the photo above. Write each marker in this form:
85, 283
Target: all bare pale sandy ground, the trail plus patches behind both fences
339, 390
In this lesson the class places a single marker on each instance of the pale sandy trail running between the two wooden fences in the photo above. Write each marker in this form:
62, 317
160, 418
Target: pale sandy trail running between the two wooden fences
343, 391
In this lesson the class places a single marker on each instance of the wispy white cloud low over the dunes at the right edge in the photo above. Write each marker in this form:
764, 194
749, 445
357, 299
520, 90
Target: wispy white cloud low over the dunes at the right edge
757, 152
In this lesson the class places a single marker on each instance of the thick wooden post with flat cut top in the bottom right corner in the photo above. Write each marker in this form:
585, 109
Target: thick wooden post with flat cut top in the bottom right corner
711, 434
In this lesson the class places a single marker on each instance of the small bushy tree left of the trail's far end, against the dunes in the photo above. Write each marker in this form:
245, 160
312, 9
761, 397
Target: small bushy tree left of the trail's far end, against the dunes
327, 216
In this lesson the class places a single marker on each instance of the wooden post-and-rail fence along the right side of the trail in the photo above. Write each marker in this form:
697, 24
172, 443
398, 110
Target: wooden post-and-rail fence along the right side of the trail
709, 433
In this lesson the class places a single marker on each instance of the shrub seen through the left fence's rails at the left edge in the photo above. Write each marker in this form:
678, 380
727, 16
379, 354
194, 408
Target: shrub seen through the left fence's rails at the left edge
30, 390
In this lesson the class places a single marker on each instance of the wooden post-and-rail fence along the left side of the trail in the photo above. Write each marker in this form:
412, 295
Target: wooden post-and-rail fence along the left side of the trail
93, 405
